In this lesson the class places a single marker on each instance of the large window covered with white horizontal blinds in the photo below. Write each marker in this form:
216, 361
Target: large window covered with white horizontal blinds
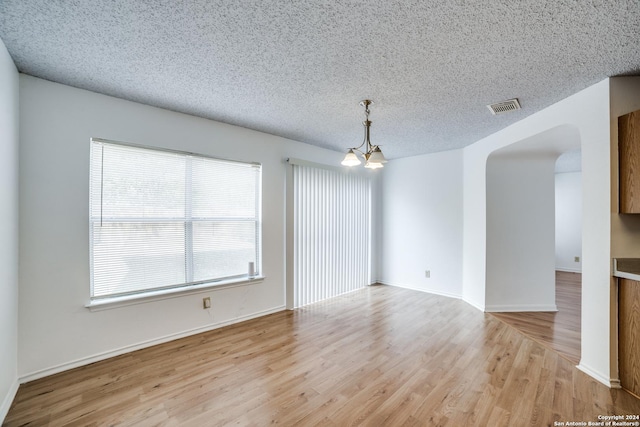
164, 219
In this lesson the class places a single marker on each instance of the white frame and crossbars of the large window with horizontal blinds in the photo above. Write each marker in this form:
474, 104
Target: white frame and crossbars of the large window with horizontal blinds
189, 286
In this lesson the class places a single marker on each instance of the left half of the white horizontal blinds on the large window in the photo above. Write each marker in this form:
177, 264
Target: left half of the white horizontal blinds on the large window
137, 219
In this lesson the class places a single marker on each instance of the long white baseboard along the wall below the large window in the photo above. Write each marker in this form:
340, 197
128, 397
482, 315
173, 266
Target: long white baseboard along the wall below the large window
128, 349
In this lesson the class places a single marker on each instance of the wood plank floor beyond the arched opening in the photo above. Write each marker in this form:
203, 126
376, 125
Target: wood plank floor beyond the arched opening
559, 330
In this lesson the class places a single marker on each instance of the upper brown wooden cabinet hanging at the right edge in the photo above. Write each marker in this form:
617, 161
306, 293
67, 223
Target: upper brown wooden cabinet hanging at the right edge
629, 162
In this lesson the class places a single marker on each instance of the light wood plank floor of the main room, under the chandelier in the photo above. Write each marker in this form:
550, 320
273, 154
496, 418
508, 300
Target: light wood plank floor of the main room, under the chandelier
381, 356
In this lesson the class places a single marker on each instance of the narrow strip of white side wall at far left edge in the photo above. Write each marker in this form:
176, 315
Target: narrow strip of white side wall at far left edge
8, 231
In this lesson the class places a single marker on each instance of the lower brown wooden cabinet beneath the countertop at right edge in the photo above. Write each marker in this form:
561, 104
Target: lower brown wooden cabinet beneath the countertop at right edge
629, 334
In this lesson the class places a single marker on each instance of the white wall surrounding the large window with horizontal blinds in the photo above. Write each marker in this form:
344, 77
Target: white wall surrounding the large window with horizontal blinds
56, 122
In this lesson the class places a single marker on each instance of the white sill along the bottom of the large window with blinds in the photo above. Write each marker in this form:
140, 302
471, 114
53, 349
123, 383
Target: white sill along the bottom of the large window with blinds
123, 301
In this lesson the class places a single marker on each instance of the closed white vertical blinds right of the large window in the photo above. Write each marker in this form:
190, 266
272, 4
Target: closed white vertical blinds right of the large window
332, 233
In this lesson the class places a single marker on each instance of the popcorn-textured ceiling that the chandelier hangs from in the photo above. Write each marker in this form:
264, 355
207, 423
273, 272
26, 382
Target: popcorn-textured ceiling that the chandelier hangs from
299, 68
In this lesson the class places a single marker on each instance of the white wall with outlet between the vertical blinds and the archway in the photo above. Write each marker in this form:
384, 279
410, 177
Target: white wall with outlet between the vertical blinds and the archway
421, 217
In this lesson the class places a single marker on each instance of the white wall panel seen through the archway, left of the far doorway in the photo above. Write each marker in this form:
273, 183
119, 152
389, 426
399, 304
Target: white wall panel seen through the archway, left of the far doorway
520, 232
